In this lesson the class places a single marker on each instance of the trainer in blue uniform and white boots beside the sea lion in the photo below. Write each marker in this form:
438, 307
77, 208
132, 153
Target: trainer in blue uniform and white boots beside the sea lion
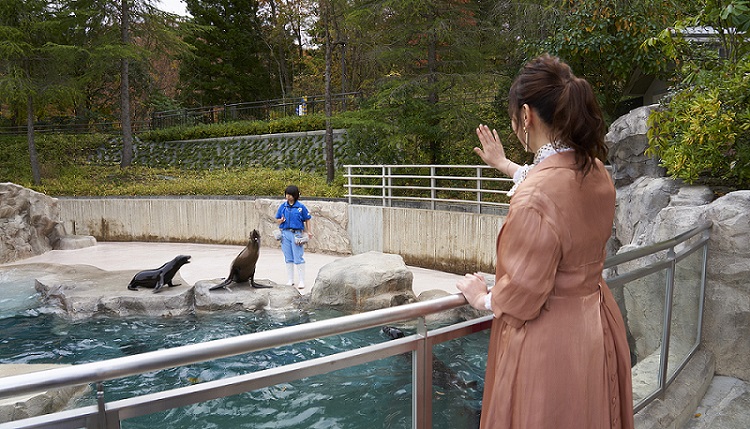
294, 221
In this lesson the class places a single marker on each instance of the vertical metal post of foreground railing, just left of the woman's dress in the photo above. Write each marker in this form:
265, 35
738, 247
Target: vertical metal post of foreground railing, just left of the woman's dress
421, 409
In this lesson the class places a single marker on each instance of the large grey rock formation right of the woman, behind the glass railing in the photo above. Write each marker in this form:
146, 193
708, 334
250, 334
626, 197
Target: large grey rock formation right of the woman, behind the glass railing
651, 209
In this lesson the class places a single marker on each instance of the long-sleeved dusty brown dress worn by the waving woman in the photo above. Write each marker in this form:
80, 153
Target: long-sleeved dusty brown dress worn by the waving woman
558, 354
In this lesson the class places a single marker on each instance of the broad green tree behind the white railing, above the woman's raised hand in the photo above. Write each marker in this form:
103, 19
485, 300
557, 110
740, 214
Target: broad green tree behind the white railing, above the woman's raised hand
425, 55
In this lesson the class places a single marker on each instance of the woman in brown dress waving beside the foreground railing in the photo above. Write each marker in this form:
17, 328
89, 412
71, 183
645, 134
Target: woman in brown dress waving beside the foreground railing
558, 355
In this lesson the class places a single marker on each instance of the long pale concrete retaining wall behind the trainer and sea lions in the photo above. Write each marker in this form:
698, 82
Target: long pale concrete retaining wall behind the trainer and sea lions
447, 241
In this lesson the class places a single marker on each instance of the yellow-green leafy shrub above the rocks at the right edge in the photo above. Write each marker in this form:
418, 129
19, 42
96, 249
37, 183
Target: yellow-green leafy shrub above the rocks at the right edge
702, 133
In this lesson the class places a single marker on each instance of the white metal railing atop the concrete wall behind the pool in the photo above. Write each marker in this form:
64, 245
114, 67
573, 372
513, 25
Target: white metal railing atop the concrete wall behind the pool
428, 186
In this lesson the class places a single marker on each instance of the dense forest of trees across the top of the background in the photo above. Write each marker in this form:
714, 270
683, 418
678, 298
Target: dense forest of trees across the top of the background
426, 72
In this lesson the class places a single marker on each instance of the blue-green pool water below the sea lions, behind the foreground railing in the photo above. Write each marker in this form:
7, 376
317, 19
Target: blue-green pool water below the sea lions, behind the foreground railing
376, 395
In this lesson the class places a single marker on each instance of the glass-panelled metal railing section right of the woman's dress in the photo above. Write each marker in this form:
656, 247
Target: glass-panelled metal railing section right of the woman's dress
667, 265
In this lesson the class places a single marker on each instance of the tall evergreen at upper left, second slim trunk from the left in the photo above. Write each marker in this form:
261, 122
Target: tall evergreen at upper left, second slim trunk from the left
115, 35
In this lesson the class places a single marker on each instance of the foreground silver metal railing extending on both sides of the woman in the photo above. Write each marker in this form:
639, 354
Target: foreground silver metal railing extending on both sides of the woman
665, 258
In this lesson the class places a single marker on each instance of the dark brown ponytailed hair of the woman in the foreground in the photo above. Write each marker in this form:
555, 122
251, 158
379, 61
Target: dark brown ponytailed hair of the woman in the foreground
567, 105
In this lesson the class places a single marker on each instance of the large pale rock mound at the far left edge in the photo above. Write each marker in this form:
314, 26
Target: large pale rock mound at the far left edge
29, 223
